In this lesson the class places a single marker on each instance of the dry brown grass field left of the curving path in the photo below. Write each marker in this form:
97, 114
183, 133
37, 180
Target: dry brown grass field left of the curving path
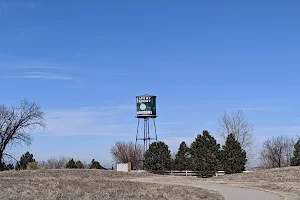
90, 184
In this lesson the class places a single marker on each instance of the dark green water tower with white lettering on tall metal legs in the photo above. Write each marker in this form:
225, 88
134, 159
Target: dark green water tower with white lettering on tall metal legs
146, 114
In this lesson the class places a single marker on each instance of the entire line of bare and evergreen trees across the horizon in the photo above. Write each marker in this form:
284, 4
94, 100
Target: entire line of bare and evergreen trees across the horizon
16, 124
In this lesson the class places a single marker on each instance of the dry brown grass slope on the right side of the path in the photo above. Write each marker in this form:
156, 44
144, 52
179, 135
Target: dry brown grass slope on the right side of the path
284, 182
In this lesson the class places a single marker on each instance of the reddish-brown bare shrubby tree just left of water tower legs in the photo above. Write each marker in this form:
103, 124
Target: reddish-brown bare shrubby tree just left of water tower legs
127, 152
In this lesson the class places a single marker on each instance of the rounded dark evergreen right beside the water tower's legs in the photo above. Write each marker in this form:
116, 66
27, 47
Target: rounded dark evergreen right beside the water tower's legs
158, 157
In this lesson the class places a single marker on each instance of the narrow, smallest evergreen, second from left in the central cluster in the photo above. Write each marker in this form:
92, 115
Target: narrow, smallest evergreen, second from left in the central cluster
182, 158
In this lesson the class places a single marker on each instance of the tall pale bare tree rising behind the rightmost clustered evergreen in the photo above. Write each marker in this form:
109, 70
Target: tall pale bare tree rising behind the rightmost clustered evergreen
239, 126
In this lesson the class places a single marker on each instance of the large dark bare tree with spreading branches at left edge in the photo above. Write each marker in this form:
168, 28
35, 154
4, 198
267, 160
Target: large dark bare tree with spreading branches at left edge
16, 123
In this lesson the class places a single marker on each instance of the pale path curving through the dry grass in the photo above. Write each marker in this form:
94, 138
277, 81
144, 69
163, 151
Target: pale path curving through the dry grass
228, 192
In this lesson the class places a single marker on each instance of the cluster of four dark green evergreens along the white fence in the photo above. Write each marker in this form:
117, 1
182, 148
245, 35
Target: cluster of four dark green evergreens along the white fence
204, 156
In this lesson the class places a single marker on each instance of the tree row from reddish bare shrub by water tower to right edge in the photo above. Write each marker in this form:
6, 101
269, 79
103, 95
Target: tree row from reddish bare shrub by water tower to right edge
206, 156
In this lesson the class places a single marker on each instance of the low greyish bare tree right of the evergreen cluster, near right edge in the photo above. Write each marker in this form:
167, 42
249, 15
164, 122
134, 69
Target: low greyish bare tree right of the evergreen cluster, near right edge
276, 152
